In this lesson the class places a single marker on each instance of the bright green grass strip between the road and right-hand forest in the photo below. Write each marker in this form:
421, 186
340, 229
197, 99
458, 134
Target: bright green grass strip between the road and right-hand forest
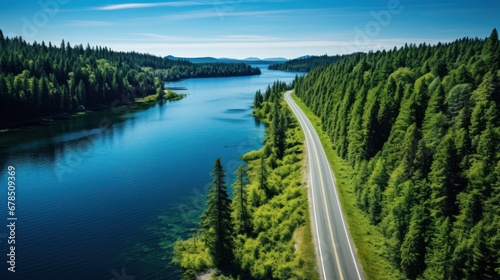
371, 245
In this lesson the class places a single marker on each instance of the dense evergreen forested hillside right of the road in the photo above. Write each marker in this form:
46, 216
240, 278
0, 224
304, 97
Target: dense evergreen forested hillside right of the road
421, 127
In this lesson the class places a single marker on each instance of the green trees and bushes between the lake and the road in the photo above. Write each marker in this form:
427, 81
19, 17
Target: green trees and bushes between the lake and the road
263, 231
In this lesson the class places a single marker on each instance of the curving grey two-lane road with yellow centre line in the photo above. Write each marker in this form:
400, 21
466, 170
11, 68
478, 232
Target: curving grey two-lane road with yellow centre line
336, 255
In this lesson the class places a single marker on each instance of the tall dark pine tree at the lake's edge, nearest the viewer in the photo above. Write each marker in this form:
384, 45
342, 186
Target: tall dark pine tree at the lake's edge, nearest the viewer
216, 220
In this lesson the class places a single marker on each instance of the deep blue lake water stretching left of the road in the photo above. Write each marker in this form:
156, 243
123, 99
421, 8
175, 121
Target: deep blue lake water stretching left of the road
104, 195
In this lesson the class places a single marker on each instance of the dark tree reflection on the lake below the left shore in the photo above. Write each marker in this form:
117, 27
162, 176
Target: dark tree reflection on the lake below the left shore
64, 142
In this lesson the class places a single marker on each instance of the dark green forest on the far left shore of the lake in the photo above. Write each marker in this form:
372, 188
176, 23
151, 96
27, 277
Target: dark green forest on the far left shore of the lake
38, 80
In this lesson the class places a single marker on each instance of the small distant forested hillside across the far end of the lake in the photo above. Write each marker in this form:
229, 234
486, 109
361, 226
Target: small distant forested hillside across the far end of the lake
305, 64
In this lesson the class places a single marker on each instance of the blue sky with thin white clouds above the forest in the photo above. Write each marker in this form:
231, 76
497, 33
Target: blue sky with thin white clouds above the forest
255, 28
